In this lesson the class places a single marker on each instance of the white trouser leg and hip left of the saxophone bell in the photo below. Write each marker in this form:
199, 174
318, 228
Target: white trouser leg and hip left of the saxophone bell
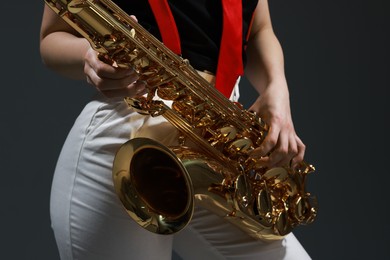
87, 217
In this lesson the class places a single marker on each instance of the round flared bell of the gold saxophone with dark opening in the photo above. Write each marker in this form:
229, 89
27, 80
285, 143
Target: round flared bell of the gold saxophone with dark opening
153, 186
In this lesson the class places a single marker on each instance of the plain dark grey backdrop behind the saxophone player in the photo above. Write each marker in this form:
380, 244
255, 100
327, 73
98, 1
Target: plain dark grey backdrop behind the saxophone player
337, 66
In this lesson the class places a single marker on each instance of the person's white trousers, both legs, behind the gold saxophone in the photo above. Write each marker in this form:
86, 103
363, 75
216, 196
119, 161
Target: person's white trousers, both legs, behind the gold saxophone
90, 223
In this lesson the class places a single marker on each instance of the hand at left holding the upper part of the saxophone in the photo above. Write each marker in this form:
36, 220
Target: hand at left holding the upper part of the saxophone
111, 80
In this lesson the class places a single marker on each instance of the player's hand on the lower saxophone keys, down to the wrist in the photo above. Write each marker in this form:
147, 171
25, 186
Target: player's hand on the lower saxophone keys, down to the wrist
281, 142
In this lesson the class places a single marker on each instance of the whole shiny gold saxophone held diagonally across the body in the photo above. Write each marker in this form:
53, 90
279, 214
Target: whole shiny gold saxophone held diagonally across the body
159, 185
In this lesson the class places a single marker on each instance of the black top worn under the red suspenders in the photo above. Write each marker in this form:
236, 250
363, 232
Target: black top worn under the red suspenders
199, 23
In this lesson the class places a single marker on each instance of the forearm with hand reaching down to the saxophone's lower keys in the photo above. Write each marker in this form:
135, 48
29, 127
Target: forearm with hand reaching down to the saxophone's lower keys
266, 72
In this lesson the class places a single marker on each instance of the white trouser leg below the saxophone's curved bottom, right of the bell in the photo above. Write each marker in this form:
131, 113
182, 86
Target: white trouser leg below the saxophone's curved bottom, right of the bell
209, 237
